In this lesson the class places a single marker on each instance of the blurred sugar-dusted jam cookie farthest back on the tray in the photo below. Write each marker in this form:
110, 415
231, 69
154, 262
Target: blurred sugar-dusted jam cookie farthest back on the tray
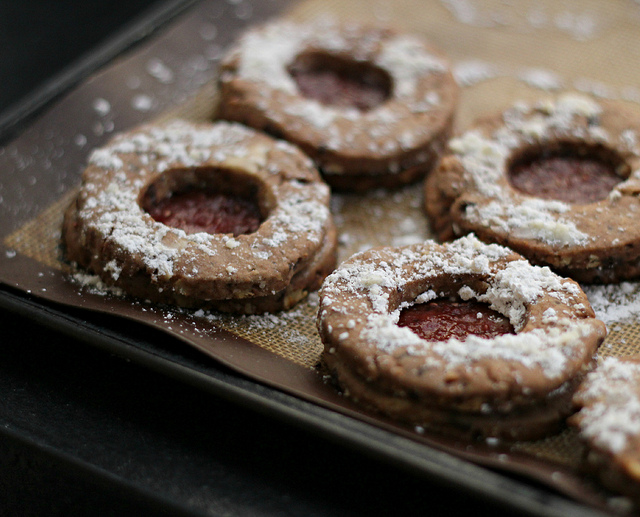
371, 107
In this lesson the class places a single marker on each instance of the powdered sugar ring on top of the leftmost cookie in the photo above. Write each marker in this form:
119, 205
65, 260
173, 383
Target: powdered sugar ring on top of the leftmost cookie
114, 212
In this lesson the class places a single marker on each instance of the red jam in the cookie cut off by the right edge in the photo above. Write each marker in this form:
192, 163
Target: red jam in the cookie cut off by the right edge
572, 179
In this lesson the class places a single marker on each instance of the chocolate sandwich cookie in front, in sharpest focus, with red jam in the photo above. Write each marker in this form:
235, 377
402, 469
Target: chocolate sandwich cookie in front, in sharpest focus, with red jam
465, 338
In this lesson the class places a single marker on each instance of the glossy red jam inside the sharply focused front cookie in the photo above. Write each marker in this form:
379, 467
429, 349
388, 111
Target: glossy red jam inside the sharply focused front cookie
440, 320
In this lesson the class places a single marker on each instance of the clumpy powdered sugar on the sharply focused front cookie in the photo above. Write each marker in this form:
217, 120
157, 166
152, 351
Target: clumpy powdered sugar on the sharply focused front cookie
512, 287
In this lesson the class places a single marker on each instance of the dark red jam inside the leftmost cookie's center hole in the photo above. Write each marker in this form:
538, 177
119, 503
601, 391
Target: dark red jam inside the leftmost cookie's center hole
199, 211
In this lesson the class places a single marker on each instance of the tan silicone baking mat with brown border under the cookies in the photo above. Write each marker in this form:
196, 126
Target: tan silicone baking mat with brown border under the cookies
501, 52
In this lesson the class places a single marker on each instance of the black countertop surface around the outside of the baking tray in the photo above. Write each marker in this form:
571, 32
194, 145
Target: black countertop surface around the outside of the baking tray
83, 432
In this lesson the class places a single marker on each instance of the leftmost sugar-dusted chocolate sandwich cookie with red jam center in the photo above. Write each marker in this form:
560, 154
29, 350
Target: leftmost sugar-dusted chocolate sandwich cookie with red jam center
211, 215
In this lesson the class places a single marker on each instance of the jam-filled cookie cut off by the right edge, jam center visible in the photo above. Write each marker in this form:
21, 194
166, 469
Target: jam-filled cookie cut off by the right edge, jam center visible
557, 181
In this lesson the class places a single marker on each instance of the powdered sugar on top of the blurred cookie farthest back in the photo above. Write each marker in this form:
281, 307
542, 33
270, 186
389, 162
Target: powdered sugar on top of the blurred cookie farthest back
263, 55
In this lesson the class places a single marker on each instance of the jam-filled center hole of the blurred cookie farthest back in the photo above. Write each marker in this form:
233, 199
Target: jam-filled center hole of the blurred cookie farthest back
340, 82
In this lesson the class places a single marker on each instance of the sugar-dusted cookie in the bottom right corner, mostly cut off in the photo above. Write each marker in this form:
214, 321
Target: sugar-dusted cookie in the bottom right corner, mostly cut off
609, 423
